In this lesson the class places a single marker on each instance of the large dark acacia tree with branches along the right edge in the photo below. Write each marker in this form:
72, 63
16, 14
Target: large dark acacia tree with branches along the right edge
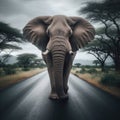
108, 13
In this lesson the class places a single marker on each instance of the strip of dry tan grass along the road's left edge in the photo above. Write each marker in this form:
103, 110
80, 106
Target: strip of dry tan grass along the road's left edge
8, 80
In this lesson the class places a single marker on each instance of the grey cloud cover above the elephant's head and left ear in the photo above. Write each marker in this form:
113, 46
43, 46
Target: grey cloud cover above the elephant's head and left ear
18, 12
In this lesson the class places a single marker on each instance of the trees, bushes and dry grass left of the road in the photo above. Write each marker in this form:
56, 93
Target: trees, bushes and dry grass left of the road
13, 73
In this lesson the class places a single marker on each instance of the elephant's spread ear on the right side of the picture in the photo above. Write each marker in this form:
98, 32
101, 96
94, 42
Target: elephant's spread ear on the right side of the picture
83, 32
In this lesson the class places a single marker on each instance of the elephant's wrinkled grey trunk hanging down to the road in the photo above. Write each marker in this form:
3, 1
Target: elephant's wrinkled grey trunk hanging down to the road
58, 55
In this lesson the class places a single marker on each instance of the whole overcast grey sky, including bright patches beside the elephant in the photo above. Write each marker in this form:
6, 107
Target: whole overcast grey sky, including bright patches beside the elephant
18, 12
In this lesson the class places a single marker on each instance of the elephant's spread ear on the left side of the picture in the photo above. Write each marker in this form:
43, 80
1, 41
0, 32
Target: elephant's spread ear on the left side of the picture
35, 31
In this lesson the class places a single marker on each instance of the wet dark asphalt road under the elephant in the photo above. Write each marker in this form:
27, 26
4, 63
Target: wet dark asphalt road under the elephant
28, 100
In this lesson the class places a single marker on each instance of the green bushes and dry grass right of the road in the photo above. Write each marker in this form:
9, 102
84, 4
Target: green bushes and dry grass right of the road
109, 80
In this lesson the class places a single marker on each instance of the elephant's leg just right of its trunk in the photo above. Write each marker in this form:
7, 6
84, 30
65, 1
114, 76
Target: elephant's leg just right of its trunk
67, 68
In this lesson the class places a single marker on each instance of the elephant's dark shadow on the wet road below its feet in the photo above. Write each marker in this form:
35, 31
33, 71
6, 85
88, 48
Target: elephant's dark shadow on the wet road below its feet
59, 110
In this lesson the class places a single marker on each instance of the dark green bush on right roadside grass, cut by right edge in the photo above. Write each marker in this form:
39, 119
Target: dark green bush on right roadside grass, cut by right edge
111, 79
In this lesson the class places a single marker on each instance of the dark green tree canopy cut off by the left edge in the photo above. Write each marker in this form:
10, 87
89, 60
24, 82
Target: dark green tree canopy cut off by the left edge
8, 35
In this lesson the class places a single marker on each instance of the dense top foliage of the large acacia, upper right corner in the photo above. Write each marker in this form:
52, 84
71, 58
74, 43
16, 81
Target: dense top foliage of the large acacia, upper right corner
102, 10
